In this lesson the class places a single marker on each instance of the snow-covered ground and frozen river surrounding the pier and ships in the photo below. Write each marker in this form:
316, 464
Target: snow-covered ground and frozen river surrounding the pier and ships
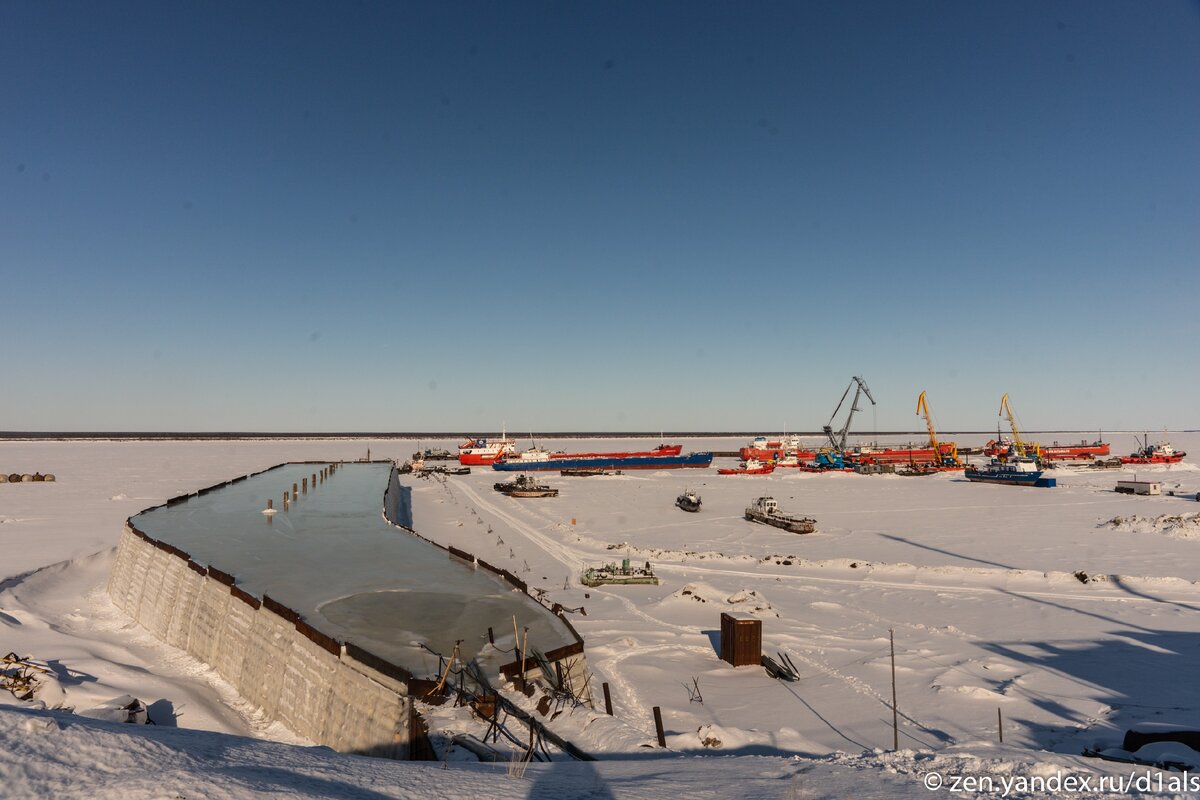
979, 584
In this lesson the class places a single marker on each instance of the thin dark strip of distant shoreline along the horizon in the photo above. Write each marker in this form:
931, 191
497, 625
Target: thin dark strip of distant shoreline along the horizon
233, 436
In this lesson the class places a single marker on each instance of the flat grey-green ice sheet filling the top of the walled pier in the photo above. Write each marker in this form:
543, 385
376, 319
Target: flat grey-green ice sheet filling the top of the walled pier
335, 560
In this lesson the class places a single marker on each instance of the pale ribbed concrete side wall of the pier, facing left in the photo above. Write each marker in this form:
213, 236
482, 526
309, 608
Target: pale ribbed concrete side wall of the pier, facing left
274, 659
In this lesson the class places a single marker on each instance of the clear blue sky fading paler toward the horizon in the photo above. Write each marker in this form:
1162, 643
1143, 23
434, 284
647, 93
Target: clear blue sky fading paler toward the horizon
609, 216
